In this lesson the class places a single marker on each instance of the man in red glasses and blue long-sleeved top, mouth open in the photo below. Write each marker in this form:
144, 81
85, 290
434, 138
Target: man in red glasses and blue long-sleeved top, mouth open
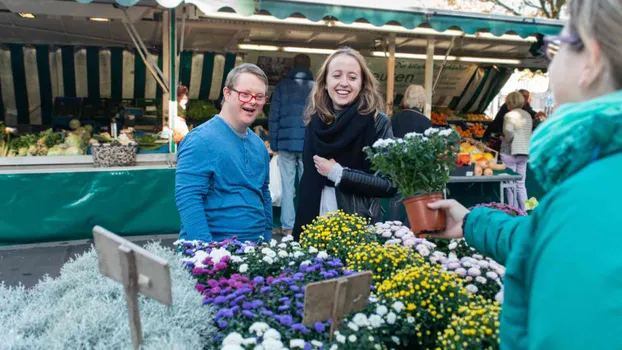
222, 178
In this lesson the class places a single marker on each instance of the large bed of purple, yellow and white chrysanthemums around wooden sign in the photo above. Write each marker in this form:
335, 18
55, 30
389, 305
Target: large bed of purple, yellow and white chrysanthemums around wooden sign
422, 298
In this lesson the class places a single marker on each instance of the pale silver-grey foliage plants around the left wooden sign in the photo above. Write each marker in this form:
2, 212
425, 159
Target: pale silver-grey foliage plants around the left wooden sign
82, 309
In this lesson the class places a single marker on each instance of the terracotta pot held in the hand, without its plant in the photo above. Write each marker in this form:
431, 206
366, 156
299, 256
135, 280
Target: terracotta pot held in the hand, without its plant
423, 219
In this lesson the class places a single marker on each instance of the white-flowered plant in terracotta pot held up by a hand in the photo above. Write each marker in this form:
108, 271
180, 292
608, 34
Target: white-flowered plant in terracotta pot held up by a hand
419, 164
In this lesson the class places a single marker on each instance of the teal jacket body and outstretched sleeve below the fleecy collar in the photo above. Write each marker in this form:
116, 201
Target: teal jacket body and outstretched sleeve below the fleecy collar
563, 282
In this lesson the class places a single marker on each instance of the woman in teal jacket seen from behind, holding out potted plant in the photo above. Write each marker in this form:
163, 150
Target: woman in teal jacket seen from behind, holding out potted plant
563, 283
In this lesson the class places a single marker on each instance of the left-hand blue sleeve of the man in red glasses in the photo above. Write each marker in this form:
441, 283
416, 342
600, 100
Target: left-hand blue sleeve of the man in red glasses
195, 170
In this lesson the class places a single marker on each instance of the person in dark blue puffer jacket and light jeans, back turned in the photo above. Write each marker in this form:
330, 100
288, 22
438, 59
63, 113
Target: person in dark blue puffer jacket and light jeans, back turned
287, 131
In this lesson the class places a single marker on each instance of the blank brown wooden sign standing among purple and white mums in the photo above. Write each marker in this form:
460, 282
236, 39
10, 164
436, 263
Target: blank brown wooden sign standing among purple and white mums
336, 298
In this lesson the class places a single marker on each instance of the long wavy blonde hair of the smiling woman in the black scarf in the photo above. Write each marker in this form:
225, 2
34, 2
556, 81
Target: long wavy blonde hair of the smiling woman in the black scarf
321, 105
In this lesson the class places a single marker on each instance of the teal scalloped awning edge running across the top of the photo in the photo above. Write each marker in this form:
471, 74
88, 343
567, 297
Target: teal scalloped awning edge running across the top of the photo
350, 11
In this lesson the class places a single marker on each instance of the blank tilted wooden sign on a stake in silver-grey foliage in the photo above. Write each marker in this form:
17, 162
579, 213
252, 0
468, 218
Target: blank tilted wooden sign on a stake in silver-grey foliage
138, 270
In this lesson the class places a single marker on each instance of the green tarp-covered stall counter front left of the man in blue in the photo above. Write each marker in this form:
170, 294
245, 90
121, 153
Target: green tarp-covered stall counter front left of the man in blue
53, 202
